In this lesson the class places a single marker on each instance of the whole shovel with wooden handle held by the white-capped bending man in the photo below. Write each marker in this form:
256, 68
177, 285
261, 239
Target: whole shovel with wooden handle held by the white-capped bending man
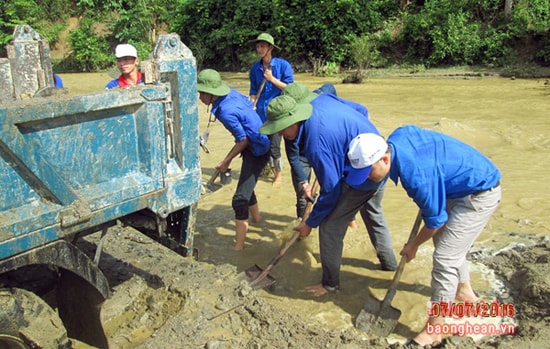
379, 317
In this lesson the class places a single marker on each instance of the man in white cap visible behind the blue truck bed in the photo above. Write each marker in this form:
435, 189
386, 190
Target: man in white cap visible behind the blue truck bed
127, 62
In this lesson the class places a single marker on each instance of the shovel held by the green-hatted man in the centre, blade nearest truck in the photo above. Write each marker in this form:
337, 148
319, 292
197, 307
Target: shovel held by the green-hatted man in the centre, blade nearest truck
259, 278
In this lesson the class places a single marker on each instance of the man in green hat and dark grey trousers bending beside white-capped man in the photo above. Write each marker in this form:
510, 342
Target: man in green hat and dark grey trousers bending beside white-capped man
323, 128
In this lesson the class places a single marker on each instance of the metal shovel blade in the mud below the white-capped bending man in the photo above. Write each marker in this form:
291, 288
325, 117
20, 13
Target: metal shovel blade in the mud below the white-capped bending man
377, 318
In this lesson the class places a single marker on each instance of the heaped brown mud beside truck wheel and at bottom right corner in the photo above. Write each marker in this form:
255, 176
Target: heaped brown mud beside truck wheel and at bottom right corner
162, 300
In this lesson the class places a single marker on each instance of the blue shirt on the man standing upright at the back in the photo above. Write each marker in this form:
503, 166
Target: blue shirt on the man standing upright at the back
280, 69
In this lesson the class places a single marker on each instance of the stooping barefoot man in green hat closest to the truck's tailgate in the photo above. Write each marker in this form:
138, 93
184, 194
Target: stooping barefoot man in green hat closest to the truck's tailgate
234, 110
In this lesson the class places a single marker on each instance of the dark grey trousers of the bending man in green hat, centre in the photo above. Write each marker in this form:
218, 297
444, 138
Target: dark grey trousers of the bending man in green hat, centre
332, 231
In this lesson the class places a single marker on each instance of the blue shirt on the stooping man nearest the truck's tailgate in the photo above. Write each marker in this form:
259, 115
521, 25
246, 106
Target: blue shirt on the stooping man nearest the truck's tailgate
235, 112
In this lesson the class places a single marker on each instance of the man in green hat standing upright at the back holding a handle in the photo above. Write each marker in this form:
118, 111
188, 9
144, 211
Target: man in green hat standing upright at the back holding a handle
268, 77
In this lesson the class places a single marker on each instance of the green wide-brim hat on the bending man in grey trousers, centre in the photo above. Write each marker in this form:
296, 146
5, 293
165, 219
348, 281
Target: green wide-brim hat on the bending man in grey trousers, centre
282, 112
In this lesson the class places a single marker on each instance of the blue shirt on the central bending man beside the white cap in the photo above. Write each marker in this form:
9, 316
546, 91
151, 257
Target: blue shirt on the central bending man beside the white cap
325, 137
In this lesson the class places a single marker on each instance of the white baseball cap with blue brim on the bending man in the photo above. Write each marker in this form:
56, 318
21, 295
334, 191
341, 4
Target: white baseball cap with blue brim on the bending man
364, 150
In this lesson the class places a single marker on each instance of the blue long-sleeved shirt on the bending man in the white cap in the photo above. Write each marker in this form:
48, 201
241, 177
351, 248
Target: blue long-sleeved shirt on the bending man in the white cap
433, 167
